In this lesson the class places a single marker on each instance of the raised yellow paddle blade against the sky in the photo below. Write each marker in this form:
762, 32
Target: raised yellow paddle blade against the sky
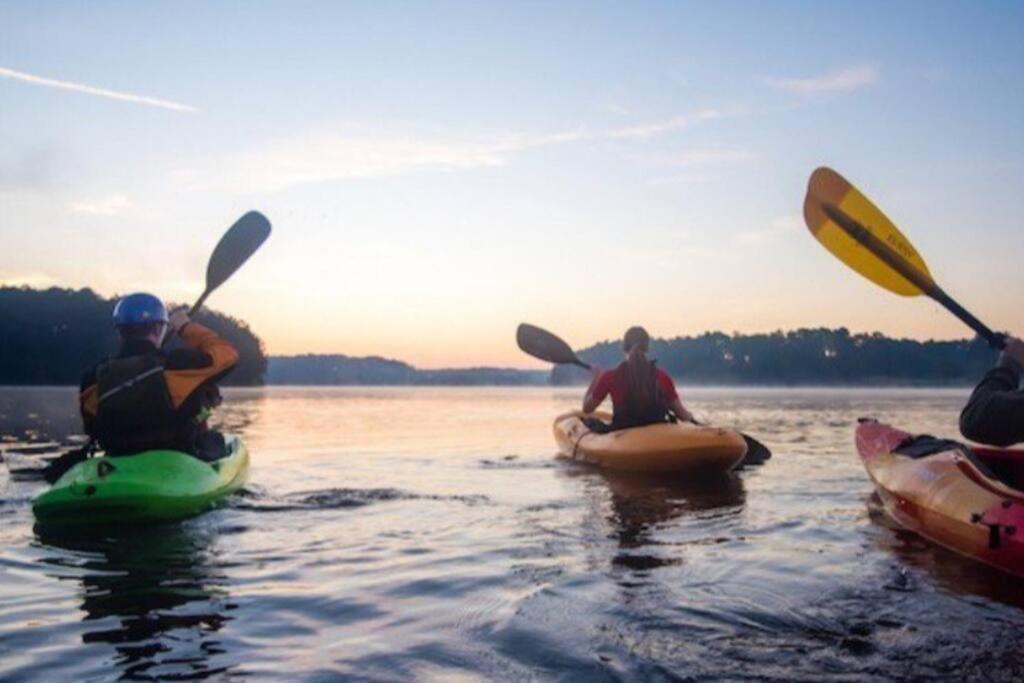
828, 189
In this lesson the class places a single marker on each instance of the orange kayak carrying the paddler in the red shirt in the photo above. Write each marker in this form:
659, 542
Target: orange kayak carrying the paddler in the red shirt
655, 449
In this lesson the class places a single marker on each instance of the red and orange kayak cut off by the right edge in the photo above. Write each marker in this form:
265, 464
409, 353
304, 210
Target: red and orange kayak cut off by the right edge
970, 500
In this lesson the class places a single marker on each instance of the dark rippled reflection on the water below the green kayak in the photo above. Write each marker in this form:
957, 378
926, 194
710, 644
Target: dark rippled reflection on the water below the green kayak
155, 596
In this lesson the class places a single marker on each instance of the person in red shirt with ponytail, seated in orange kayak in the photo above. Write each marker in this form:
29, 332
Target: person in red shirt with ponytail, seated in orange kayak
642, 394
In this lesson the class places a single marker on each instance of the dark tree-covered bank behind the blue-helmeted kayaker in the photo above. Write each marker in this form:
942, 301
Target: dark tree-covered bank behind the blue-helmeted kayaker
53, 336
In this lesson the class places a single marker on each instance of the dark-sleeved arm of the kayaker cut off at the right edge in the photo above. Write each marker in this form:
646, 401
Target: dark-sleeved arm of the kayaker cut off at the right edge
995, 414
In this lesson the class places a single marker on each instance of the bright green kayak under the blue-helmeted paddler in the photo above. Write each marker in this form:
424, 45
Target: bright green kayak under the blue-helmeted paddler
154, 486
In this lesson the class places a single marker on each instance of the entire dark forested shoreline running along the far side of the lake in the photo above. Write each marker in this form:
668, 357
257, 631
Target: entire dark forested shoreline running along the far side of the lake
51, 336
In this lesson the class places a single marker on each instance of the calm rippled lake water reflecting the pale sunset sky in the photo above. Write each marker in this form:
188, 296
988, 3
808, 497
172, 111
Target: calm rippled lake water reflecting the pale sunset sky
431, 534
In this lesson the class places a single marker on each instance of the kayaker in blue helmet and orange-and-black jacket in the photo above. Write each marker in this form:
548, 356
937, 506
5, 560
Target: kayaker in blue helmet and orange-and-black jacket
145, 398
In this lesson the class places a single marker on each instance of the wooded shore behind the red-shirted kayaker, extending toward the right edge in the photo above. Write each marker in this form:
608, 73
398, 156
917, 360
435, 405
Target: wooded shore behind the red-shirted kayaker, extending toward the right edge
806, 357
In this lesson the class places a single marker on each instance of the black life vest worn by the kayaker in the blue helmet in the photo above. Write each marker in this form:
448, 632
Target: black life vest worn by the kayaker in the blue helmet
136, 412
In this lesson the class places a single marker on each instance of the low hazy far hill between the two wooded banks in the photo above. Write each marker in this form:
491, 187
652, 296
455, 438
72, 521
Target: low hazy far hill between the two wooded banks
346, 370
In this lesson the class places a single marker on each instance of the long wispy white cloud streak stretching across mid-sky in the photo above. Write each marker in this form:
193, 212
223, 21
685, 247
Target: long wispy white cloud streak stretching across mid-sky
328, 156
